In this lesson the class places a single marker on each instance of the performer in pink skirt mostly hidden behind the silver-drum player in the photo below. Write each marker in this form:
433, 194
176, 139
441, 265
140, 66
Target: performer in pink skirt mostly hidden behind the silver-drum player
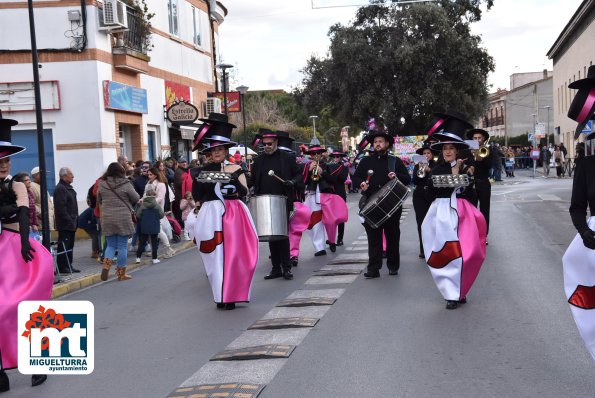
300, 215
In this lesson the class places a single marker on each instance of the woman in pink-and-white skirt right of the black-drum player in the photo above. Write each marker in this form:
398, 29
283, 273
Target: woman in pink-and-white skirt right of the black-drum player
453, 231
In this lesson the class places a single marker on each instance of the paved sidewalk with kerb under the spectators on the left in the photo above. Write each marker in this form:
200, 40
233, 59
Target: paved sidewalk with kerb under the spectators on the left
91, 269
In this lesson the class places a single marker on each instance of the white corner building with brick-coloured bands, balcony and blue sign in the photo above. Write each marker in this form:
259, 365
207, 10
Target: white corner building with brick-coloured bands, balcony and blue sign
103, 87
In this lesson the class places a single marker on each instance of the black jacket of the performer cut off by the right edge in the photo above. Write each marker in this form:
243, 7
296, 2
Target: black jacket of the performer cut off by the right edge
583, 193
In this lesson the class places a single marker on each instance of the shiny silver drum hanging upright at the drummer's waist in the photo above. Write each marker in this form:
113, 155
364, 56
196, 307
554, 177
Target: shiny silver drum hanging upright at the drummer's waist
269, 213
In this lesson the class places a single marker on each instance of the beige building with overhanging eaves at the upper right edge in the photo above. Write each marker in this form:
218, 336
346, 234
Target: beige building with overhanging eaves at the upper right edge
572, 53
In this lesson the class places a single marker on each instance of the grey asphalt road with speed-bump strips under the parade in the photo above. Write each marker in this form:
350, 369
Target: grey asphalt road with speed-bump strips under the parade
387, 337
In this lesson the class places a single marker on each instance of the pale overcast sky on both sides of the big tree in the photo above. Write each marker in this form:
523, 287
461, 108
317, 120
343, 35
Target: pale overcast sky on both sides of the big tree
270, 41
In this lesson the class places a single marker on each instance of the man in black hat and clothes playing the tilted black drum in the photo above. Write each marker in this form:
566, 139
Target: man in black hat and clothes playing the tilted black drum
385, 168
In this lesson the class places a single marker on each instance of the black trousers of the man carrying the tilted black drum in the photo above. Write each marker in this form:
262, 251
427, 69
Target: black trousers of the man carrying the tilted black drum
392, 231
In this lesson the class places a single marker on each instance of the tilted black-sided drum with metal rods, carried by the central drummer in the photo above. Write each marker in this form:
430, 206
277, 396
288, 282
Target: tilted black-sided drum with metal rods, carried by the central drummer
384, 203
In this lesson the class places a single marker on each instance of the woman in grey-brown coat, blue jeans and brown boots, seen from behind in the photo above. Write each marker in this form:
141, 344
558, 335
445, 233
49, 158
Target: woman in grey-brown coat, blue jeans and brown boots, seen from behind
116, 197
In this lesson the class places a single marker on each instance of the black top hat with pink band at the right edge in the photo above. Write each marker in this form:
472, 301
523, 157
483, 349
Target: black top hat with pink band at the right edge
583, 105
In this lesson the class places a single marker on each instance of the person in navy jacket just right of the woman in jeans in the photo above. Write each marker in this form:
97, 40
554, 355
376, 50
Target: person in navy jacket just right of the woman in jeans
149, 216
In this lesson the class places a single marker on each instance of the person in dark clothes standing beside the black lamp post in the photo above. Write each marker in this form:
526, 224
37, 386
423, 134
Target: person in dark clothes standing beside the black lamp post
66, 212
